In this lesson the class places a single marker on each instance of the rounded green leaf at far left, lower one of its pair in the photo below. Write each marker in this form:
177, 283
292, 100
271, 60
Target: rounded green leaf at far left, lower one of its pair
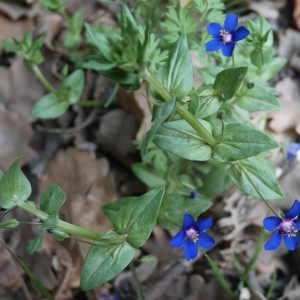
50, 107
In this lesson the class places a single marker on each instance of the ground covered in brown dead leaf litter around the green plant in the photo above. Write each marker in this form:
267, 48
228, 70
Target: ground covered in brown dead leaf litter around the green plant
88, 152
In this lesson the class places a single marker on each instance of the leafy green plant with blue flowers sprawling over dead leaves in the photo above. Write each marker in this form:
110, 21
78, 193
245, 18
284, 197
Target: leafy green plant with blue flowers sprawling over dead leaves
209, 124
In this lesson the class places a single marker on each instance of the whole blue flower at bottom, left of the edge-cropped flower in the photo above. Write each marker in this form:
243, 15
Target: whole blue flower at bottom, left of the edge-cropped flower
192, 235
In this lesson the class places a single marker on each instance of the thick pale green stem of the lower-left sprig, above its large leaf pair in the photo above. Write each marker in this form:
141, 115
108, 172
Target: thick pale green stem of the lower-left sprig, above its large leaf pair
70, 228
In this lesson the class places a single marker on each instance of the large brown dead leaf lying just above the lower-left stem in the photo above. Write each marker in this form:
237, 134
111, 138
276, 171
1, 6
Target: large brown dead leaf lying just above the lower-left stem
88, 186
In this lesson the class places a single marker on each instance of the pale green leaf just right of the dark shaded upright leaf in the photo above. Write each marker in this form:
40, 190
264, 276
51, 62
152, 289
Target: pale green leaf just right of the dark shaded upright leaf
258, 99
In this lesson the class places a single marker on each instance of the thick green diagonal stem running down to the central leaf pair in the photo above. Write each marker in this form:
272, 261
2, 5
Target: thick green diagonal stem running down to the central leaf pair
184, 113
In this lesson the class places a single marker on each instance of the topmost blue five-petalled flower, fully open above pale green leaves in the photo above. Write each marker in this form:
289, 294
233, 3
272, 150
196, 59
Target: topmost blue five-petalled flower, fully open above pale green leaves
225, 37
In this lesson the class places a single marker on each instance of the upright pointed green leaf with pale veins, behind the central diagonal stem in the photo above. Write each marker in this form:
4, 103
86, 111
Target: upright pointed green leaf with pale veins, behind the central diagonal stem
177, 73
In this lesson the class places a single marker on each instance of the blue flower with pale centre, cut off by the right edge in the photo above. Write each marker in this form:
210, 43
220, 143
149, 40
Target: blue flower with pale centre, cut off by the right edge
286, 227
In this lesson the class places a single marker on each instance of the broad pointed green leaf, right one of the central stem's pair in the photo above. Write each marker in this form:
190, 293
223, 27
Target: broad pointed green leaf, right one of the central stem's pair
240, 141
